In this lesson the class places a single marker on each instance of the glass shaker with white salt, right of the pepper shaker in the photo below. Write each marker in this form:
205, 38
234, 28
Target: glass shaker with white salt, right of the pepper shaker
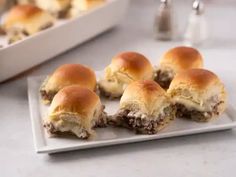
196, 31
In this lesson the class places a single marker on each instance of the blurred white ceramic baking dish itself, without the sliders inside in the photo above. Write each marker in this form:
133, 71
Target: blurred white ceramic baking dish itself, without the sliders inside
46, 44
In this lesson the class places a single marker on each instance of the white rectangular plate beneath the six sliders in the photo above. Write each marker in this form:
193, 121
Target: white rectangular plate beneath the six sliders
111, 136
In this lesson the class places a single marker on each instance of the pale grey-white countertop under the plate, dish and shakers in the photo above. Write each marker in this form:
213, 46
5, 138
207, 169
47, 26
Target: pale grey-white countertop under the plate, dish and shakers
211, 154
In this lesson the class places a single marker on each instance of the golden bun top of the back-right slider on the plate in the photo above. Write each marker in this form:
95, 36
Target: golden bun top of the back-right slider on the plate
182, 58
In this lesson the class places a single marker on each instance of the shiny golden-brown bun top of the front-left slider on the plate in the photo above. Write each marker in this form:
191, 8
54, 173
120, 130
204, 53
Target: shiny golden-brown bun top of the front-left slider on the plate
75, 100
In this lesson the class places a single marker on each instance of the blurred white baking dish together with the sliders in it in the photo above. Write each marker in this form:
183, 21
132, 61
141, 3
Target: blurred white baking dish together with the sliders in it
33, 31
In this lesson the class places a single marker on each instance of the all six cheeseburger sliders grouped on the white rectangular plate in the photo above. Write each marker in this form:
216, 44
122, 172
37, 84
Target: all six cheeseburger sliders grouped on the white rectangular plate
187, 91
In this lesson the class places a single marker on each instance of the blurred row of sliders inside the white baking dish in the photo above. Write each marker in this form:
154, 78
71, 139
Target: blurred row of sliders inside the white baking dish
28, 17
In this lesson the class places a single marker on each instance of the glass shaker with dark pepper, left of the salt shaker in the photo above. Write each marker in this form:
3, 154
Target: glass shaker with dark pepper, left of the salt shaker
163, 22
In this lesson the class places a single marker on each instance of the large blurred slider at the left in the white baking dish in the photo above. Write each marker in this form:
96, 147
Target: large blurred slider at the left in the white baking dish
26, 19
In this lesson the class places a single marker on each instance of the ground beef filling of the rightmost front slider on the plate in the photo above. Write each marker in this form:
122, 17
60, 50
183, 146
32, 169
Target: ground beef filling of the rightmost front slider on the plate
200, 116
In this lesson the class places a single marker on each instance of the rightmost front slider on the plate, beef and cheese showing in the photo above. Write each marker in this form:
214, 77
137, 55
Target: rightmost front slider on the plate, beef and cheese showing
198, 94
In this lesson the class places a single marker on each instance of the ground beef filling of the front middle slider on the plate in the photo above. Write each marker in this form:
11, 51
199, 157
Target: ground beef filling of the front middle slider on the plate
142, 124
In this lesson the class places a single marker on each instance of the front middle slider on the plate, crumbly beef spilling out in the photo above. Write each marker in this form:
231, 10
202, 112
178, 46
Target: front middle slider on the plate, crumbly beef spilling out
144, 108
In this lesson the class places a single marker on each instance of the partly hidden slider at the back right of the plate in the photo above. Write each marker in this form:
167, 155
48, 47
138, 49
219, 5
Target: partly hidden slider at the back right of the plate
175, 60
